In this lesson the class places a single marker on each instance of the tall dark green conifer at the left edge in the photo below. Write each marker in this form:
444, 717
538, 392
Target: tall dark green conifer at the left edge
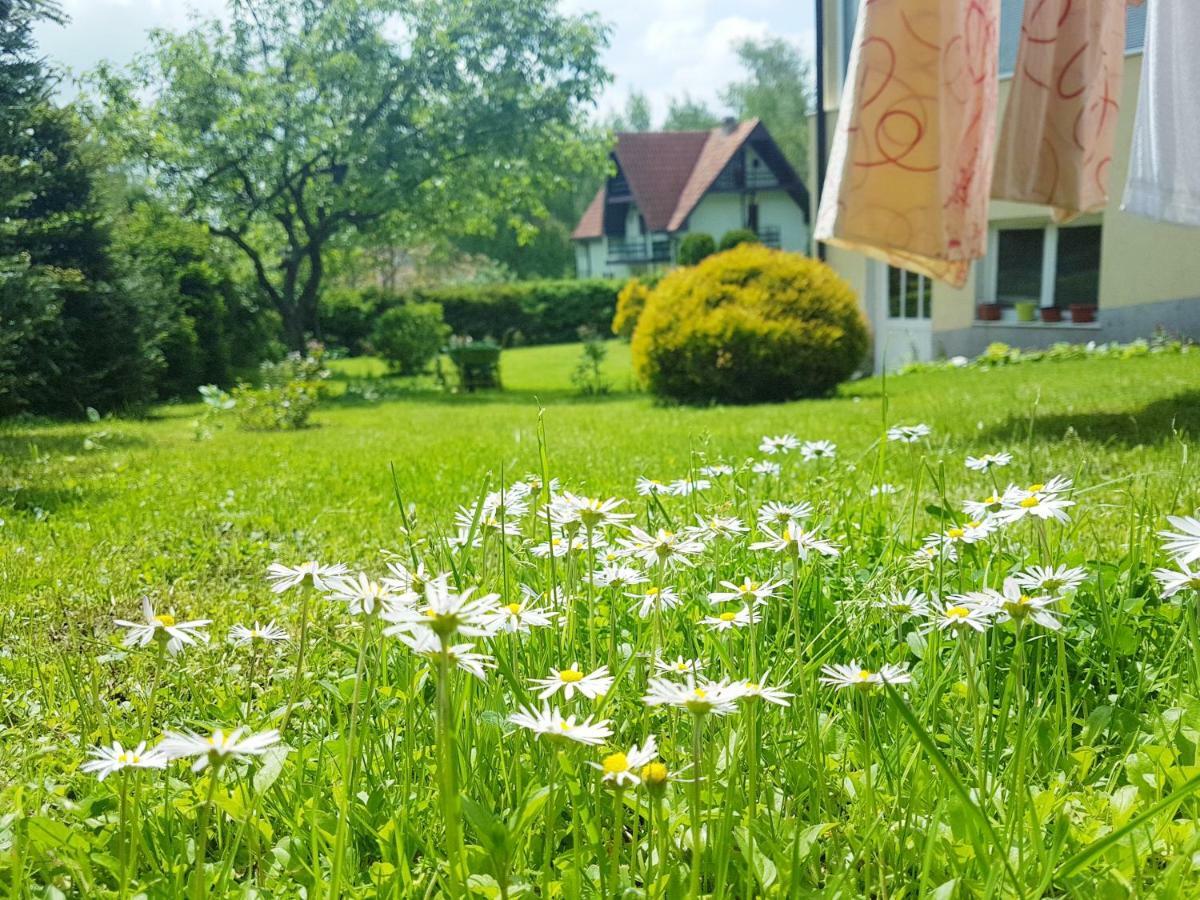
71, 339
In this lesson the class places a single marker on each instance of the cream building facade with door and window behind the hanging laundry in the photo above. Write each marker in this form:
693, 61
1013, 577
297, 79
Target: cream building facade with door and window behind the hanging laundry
1139, 275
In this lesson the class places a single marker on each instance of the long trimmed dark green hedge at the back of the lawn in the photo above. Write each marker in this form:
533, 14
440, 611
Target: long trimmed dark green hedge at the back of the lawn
530, 313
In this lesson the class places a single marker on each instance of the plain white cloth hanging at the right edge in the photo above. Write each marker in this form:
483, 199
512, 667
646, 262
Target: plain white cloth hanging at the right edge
1165, 169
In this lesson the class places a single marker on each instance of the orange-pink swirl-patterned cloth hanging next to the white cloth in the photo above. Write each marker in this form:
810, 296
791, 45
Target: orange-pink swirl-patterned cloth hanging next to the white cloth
1057, 142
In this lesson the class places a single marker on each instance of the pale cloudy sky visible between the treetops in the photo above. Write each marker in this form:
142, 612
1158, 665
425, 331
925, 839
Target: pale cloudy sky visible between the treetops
663, 49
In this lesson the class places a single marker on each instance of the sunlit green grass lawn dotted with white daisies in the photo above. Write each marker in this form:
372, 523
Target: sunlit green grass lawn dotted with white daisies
1019, 761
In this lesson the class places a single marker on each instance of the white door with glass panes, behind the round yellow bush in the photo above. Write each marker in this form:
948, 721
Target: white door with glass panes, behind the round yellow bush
903, 304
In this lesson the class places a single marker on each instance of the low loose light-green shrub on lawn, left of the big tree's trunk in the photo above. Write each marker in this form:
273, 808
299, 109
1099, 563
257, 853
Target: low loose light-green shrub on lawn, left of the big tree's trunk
287, 394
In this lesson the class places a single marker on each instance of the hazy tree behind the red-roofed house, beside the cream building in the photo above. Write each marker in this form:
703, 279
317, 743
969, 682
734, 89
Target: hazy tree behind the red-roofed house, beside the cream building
778, 92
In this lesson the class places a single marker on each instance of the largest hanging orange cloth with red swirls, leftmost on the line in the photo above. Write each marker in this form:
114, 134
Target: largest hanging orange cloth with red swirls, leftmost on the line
911, 163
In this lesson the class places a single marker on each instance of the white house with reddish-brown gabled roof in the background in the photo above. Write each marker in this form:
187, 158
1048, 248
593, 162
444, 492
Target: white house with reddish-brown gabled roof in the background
670, 184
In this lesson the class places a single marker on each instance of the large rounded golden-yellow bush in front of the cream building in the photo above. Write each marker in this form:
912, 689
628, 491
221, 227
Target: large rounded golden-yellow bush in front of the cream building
749, 326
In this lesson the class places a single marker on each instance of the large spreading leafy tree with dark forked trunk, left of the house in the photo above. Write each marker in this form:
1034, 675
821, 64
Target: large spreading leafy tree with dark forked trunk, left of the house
301, 127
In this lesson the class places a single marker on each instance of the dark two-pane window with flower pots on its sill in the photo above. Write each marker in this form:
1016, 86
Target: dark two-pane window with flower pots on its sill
1052, 267
